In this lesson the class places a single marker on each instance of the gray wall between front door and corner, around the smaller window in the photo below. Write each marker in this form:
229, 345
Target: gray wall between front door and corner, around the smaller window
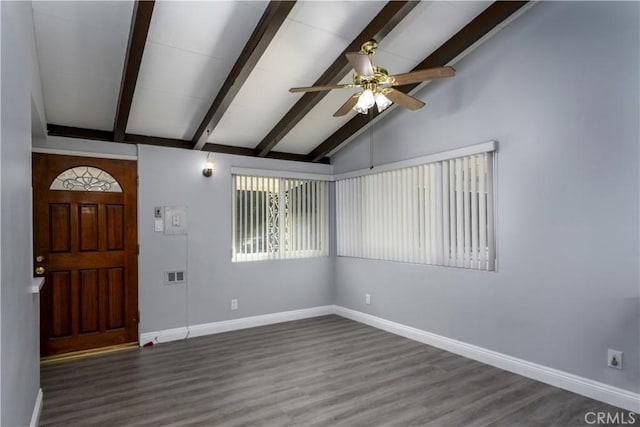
173, 177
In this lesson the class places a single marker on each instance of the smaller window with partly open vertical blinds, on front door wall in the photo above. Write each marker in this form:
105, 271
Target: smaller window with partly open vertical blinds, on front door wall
279, 218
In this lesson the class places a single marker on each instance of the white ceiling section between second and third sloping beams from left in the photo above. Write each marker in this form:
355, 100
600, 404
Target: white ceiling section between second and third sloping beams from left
300, 52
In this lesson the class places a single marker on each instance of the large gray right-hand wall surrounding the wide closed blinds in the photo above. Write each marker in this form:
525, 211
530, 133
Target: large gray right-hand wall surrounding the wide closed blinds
559, 90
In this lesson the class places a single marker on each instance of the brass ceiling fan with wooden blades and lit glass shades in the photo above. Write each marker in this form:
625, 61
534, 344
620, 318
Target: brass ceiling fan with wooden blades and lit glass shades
377, 84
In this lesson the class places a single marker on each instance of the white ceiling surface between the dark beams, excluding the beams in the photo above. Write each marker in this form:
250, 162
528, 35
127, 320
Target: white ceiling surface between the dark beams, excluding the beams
191, 48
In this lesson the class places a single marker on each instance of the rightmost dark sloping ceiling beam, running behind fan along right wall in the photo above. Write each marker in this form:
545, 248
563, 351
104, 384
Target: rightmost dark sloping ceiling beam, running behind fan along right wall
486, 21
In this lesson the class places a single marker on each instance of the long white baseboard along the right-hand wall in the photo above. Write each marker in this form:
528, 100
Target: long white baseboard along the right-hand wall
593, 389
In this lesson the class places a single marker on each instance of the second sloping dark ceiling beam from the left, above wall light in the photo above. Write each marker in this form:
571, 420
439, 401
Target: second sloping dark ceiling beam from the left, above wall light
272, 18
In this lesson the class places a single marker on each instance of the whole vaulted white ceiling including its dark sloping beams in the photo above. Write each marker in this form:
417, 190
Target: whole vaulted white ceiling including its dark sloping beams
214, 75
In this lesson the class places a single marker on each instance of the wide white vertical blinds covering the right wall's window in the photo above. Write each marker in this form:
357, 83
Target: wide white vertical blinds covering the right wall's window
439, 213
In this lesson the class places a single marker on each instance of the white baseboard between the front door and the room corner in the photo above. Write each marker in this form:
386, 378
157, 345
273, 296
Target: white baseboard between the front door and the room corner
232, 325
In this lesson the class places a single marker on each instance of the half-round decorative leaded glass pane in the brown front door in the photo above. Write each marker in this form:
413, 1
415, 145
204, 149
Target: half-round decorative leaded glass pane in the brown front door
86, 178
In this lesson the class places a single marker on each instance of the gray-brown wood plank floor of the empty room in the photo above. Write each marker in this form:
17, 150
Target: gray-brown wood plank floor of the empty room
325, 371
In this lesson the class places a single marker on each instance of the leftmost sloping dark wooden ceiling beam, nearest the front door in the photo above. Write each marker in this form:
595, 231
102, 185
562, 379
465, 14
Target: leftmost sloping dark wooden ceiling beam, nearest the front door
140, 23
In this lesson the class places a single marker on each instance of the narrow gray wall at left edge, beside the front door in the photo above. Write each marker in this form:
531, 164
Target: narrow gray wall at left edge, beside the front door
19, 352
